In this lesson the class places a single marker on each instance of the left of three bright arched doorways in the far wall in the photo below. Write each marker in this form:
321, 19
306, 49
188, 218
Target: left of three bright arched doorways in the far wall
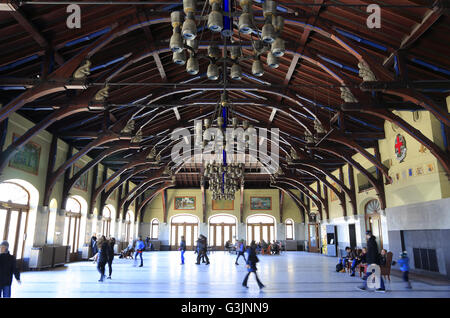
183, 225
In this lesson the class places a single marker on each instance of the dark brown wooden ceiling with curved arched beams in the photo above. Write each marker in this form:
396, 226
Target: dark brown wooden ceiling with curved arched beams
325, 41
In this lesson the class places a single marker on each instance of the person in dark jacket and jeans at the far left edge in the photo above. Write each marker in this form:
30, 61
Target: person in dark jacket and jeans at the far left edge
7, 270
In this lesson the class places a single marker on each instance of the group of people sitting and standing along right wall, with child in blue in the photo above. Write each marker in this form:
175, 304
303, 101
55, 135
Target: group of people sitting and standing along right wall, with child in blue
370, 255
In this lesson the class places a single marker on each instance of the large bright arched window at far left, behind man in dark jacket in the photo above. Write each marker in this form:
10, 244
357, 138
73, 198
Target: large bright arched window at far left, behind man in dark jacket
14, 210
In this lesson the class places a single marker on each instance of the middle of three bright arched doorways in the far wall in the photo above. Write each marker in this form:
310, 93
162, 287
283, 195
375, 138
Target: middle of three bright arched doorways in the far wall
221, 229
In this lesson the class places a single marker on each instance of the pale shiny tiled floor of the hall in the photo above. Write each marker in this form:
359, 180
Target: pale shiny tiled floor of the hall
293, 274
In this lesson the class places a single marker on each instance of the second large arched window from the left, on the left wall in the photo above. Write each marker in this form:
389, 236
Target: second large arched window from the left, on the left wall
72, 225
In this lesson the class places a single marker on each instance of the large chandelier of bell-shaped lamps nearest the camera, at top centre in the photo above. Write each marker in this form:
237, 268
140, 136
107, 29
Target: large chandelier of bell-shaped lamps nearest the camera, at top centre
184, 41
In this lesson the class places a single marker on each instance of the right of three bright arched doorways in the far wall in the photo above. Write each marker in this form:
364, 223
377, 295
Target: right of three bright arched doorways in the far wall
260, 227
